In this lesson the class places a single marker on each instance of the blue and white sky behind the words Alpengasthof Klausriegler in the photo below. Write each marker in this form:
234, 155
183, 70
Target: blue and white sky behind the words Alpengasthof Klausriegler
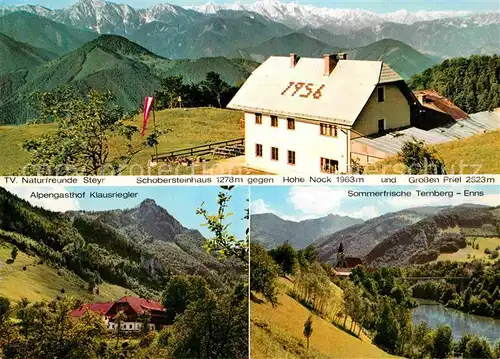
180, 202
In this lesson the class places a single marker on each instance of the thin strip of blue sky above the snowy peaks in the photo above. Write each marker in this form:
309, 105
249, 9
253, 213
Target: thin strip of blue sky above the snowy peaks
378, 6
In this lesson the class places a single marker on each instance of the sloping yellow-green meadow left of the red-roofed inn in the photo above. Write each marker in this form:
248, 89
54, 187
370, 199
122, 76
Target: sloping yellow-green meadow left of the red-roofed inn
42, 282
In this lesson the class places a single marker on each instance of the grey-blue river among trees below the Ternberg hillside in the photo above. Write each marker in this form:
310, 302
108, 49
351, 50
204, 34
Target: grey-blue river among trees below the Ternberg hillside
435, 314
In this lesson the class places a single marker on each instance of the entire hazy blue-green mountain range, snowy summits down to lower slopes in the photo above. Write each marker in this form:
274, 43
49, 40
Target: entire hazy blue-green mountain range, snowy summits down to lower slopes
219, 30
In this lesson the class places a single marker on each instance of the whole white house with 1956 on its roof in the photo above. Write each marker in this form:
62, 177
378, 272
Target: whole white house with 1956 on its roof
301, 115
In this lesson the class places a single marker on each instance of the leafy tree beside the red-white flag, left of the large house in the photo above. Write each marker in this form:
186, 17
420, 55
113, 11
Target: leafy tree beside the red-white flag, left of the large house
86, 128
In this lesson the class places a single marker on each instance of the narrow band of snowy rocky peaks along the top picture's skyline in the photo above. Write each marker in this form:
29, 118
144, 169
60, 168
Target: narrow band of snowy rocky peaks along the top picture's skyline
98, 15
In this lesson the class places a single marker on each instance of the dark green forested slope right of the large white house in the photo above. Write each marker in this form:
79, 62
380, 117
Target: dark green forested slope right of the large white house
473, 83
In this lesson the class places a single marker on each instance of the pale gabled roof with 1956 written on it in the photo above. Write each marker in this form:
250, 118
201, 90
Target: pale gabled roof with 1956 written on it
343, 94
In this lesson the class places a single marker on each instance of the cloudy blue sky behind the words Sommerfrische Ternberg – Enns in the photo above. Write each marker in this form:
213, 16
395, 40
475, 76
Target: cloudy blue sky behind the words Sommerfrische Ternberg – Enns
306, 202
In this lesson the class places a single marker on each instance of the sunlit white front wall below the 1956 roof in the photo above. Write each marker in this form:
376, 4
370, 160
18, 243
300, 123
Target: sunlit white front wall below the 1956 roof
307, 142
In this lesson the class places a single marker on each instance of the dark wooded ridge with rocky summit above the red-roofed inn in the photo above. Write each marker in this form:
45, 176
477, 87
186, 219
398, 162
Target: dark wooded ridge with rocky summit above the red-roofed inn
97, 251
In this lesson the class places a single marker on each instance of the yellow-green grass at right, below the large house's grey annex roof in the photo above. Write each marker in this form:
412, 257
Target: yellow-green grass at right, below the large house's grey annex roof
477, 154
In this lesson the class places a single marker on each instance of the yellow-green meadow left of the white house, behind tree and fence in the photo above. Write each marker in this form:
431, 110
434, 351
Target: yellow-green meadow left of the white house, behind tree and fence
189, 127
